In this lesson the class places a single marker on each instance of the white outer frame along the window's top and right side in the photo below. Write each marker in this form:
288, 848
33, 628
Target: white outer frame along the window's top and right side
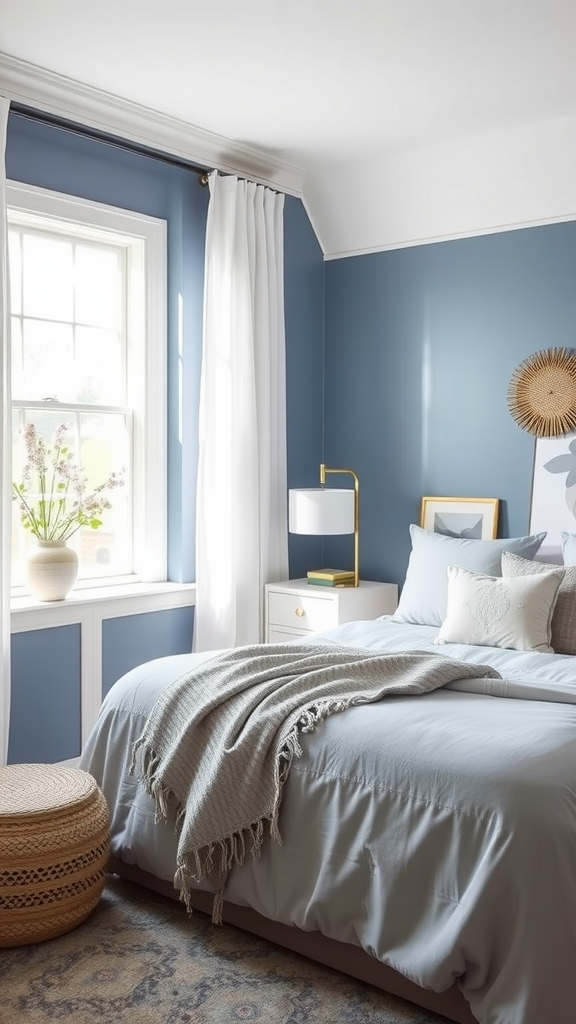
145, 238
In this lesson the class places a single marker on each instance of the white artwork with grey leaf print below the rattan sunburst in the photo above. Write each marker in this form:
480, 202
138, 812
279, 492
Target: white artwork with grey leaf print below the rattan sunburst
554, 493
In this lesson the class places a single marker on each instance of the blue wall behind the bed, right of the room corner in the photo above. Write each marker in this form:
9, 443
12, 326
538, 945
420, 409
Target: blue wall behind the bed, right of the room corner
421, 348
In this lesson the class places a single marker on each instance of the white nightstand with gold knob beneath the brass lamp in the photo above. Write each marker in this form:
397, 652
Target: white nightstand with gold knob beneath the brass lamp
296, 608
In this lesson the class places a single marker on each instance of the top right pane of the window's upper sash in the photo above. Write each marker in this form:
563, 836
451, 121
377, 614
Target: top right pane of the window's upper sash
99, 287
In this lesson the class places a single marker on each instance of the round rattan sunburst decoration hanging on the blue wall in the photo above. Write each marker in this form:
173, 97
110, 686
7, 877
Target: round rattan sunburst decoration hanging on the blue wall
543, 393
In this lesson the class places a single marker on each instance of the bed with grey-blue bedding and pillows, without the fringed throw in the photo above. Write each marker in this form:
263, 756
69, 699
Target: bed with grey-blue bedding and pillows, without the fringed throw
429, 842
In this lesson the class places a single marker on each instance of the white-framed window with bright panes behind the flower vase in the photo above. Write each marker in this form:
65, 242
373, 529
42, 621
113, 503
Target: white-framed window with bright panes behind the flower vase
89, 351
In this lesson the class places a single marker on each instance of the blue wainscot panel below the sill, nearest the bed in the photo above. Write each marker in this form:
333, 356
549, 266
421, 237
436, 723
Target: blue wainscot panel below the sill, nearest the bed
132, 641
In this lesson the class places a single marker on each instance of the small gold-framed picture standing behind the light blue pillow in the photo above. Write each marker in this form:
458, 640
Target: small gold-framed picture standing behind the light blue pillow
475, 519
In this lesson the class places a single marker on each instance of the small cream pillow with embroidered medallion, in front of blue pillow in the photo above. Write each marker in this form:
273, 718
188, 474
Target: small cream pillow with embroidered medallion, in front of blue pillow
492, 612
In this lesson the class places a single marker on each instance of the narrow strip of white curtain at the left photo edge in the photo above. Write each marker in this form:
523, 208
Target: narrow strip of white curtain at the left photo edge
6, 451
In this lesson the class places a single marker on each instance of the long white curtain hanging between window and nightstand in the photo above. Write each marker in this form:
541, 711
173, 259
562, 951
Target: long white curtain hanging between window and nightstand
241, 535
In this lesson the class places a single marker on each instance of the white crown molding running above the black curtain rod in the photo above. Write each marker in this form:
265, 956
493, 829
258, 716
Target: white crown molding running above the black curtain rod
45, 91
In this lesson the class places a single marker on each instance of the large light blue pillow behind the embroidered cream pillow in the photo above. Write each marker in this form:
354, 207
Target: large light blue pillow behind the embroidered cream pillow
424, 595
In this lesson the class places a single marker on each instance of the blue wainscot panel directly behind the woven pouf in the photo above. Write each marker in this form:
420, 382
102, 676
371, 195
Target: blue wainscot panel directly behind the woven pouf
46, 696
